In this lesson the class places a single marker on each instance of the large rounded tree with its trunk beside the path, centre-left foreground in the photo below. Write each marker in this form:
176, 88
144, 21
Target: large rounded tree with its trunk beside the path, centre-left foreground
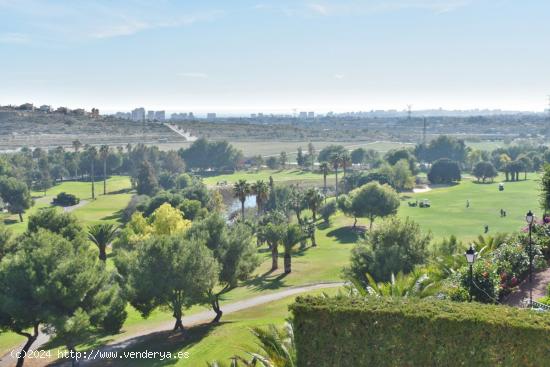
172, 272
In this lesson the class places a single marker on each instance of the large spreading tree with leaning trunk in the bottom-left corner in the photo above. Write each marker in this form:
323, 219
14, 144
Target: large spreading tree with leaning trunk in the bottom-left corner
46, 278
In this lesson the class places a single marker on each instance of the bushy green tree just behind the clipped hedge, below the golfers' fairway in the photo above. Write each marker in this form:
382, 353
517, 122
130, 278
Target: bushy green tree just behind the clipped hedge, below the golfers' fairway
393, 247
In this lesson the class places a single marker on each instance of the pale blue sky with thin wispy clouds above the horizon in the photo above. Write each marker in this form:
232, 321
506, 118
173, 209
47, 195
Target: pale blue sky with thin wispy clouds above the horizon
245, 56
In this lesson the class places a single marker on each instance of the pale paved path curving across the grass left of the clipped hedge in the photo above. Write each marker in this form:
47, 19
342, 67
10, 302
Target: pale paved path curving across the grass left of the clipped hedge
205, 316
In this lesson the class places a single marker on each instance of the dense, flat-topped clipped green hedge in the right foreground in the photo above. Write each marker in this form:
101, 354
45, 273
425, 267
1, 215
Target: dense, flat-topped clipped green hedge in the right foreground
353, 332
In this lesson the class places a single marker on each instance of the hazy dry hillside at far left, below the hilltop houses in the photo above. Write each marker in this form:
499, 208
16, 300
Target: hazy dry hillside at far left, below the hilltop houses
39, 129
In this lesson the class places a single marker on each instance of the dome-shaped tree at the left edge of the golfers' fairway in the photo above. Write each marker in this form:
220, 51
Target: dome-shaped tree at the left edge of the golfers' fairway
371, 200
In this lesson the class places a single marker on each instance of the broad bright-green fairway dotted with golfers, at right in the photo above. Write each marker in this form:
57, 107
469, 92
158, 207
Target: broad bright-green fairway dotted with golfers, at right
448, 213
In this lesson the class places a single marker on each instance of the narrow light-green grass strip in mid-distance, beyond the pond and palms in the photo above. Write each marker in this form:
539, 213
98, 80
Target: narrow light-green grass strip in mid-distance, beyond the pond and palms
290, 175
